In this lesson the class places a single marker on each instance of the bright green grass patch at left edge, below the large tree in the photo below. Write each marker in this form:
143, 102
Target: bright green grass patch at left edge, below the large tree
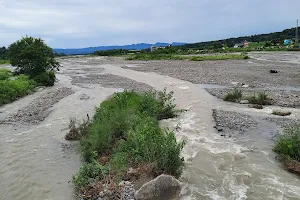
14, 87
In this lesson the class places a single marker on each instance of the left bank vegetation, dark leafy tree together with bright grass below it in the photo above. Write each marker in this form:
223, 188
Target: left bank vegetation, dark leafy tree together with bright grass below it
35, 66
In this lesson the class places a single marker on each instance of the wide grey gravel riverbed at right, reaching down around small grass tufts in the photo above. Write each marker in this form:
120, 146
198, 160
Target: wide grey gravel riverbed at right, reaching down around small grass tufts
282, 87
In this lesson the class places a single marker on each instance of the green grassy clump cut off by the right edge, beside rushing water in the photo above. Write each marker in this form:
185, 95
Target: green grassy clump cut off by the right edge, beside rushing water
288, 148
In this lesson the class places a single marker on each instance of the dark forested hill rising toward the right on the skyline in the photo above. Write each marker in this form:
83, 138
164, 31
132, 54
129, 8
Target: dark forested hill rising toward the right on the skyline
276, 37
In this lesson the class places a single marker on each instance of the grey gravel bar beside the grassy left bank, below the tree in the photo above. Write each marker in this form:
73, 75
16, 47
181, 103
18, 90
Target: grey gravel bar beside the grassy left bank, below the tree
38, 110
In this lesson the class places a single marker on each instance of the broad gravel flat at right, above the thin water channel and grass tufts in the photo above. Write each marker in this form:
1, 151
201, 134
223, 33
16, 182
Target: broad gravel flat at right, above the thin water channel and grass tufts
250, 72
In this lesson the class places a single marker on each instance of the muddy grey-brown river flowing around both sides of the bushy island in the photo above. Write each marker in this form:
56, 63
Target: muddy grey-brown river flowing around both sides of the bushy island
38, 163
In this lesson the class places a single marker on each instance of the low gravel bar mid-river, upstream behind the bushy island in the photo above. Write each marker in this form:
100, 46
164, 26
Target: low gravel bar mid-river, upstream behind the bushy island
111, 81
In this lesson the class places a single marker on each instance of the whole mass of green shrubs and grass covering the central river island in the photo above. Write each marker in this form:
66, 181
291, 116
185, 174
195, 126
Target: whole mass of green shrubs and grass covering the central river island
125, 135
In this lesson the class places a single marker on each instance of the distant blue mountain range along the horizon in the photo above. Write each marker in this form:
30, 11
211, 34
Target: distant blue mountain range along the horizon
90, 50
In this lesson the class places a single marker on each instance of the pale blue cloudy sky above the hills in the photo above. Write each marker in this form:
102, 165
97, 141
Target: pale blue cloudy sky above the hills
86, 23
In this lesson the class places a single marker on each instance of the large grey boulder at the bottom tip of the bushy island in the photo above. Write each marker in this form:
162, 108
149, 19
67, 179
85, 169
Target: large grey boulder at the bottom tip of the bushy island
163, 187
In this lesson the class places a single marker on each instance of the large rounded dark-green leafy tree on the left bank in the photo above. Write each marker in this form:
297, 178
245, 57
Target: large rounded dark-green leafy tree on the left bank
32, 56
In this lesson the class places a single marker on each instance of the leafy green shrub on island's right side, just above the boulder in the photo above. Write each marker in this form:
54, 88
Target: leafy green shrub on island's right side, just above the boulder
150, 144
